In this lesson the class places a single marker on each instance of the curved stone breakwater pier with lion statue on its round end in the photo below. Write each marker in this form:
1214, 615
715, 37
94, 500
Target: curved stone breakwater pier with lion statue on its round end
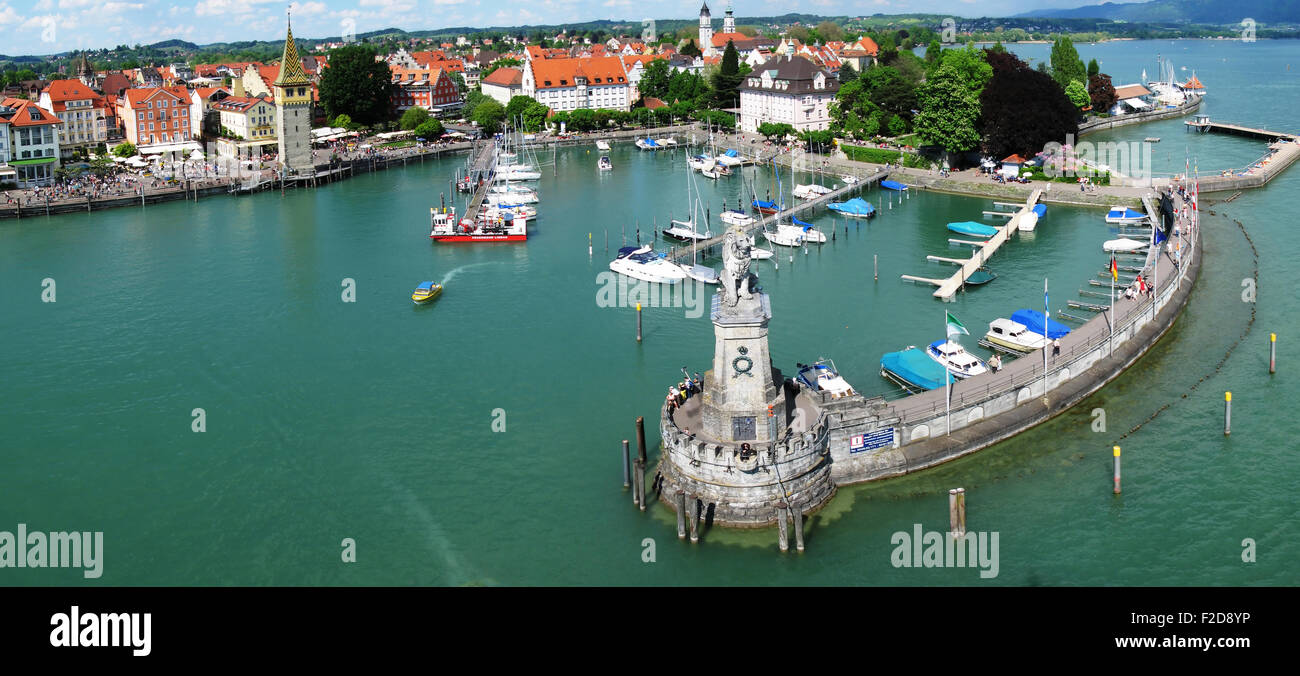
753, 448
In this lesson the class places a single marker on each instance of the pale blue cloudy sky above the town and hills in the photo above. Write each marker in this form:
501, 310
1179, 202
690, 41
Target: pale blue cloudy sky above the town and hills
55, 27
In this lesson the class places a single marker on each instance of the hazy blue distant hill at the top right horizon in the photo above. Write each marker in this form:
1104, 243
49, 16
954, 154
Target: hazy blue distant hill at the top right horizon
1215, 12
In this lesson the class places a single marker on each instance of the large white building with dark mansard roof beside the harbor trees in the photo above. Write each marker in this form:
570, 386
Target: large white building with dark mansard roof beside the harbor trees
791, 90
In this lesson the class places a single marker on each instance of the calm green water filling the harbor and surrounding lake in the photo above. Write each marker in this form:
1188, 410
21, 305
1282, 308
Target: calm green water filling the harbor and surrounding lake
478, 441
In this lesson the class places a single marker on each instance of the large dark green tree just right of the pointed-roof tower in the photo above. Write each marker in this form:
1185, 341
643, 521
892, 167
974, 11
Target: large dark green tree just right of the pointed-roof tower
357, 85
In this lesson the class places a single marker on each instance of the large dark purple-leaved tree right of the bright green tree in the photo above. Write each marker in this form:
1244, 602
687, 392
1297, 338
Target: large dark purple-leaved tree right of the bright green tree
1011, 127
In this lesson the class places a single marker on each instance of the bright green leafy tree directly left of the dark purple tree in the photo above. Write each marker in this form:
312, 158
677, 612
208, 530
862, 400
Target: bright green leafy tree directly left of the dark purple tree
950, 111
